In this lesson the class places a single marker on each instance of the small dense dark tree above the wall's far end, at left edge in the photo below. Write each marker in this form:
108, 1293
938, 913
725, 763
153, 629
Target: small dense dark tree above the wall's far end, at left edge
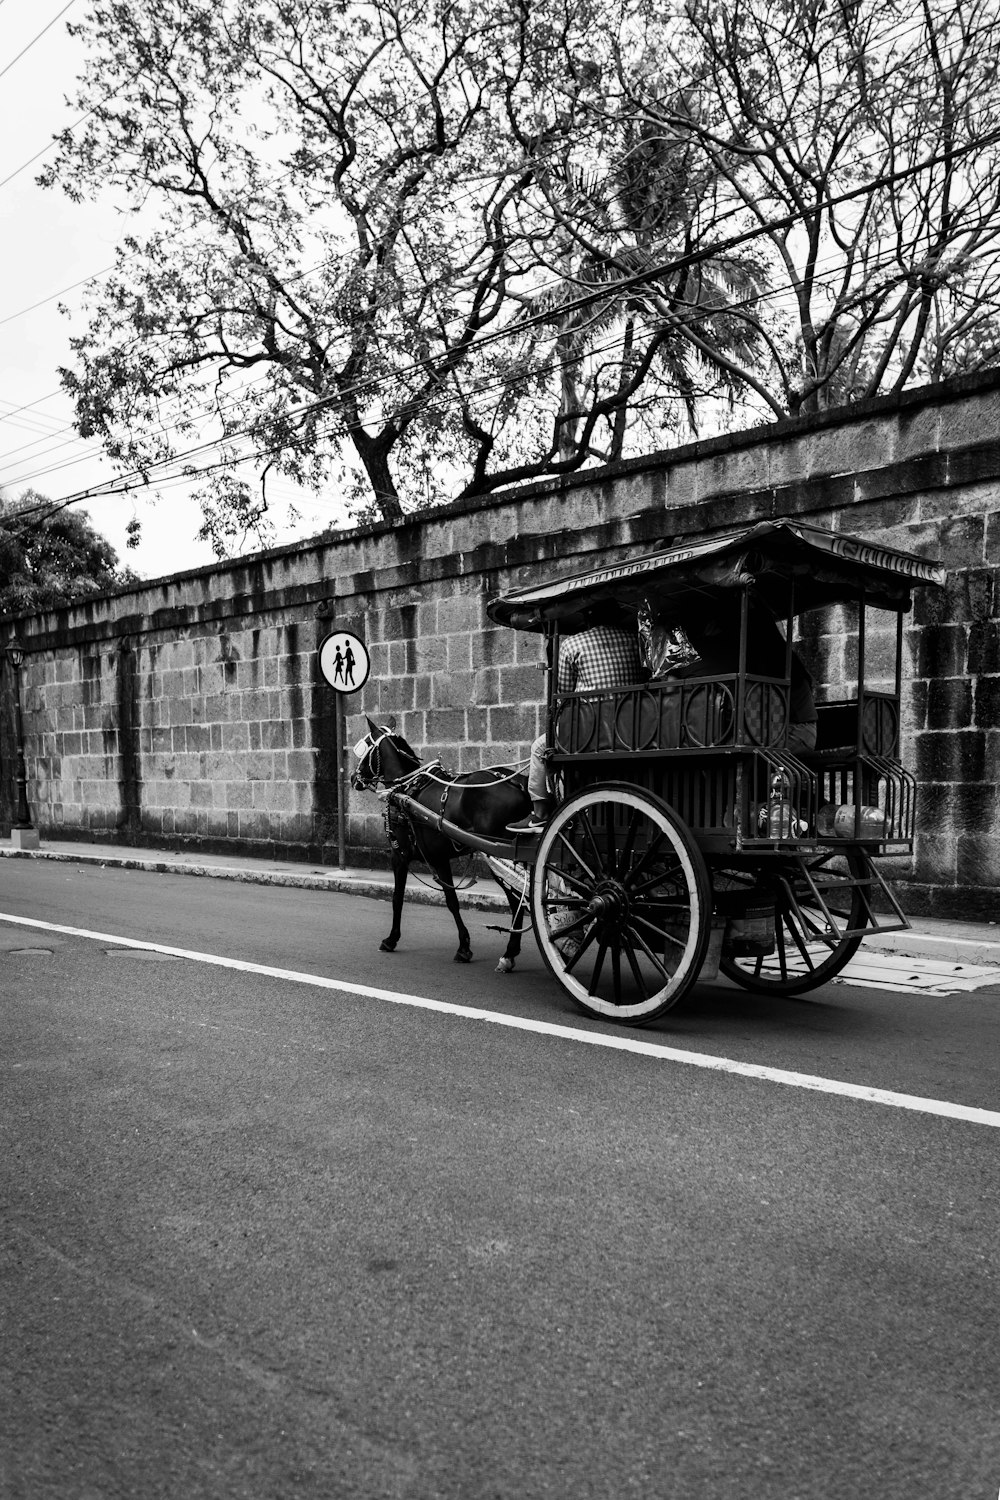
52, 556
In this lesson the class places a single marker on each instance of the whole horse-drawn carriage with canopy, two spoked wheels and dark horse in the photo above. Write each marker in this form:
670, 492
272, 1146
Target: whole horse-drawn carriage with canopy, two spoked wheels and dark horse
687, 836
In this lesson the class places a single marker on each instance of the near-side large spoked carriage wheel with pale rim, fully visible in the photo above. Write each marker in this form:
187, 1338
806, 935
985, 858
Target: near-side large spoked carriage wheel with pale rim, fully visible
621, 904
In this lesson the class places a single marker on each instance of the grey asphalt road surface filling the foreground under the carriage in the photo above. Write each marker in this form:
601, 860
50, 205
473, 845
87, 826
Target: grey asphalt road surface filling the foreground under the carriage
269, 1240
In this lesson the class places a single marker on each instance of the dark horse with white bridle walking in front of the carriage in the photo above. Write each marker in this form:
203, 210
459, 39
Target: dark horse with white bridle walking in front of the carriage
481, 802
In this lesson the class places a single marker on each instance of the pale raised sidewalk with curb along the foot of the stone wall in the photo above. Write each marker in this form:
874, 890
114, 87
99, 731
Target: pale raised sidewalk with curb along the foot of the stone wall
975, 944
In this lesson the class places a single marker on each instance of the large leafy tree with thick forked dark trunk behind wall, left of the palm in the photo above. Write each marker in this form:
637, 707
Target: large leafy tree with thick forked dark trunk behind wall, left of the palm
358, 232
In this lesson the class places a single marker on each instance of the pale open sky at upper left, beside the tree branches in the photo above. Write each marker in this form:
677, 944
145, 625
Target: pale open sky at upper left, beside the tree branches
49, 245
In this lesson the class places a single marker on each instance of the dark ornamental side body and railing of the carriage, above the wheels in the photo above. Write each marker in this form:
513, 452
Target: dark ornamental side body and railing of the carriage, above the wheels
719, 758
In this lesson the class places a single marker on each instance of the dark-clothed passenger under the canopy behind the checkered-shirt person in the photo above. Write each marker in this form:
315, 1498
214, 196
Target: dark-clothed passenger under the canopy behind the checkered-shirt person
716, 638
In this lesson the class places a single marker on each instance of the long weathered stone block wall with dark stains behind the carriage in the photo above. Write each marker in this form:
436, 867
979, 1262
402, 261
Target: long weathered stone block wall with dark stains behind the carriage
191, 712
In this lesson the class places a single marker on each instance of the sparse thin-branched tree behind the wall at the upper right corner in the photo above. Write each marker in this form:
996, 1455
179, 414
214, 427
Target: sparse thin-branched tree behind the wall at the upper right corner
861, 142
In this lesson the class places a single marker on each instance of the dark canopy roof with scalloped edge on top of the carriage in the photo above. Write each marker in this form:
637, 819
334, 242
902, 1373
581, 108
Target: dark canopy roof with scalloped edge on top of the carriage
786, 562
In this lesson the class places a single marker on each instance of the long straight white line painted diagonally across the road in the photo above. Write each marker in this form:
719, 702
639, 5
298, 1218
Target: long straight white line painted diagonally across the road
644, 1049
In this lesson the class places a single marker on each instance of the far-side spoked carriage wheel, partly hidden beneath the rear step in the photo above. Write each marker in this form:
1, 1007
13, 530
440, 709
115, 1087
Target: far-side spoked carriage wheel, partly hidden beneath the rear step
807, 950
